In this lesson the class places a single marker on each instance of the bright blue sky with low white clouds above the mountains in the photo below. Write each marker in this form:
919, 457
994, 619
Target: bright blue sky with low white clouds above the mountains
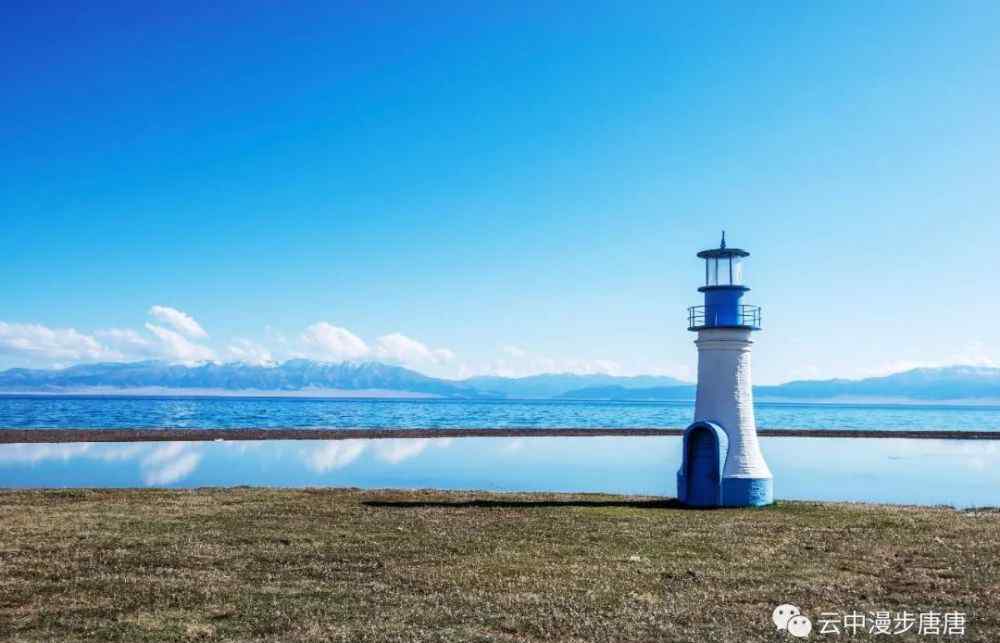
466, 188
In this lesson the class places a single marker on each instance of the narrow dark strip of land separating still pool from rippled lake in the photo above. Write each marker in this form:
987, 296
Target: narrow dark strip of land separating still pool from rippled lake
47, 436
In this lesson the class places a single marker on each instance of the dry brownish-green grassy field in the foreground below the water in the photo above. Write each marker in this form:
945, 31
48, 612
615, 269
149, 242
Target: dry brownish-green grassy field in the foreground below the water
348, 565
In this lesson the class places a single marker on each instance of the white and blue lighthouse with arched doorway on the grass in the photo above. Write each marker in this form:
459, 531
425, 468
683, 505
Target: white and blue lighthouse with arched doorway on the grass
721, 464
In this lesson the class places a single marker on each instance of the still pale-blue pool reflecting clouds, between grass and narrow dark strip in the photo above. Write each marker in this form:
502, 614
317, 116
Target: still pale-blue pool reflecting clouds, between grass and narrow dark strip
953, 472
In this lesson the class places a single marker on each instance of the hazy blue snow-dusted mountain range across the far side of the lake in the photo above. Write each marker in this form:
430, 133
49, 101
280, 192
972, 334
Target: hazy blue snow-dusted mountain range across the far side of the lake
364, 379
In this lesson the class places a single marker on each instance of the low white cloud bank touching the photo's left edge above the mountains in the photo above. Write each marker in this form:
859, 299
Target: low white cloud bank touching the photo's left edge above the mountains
41, 342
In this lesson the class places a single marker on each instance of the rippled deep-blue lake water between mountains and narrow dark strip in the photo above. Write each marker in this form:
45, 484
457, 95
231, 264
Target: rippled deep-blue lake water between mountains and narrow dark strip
124, 412
